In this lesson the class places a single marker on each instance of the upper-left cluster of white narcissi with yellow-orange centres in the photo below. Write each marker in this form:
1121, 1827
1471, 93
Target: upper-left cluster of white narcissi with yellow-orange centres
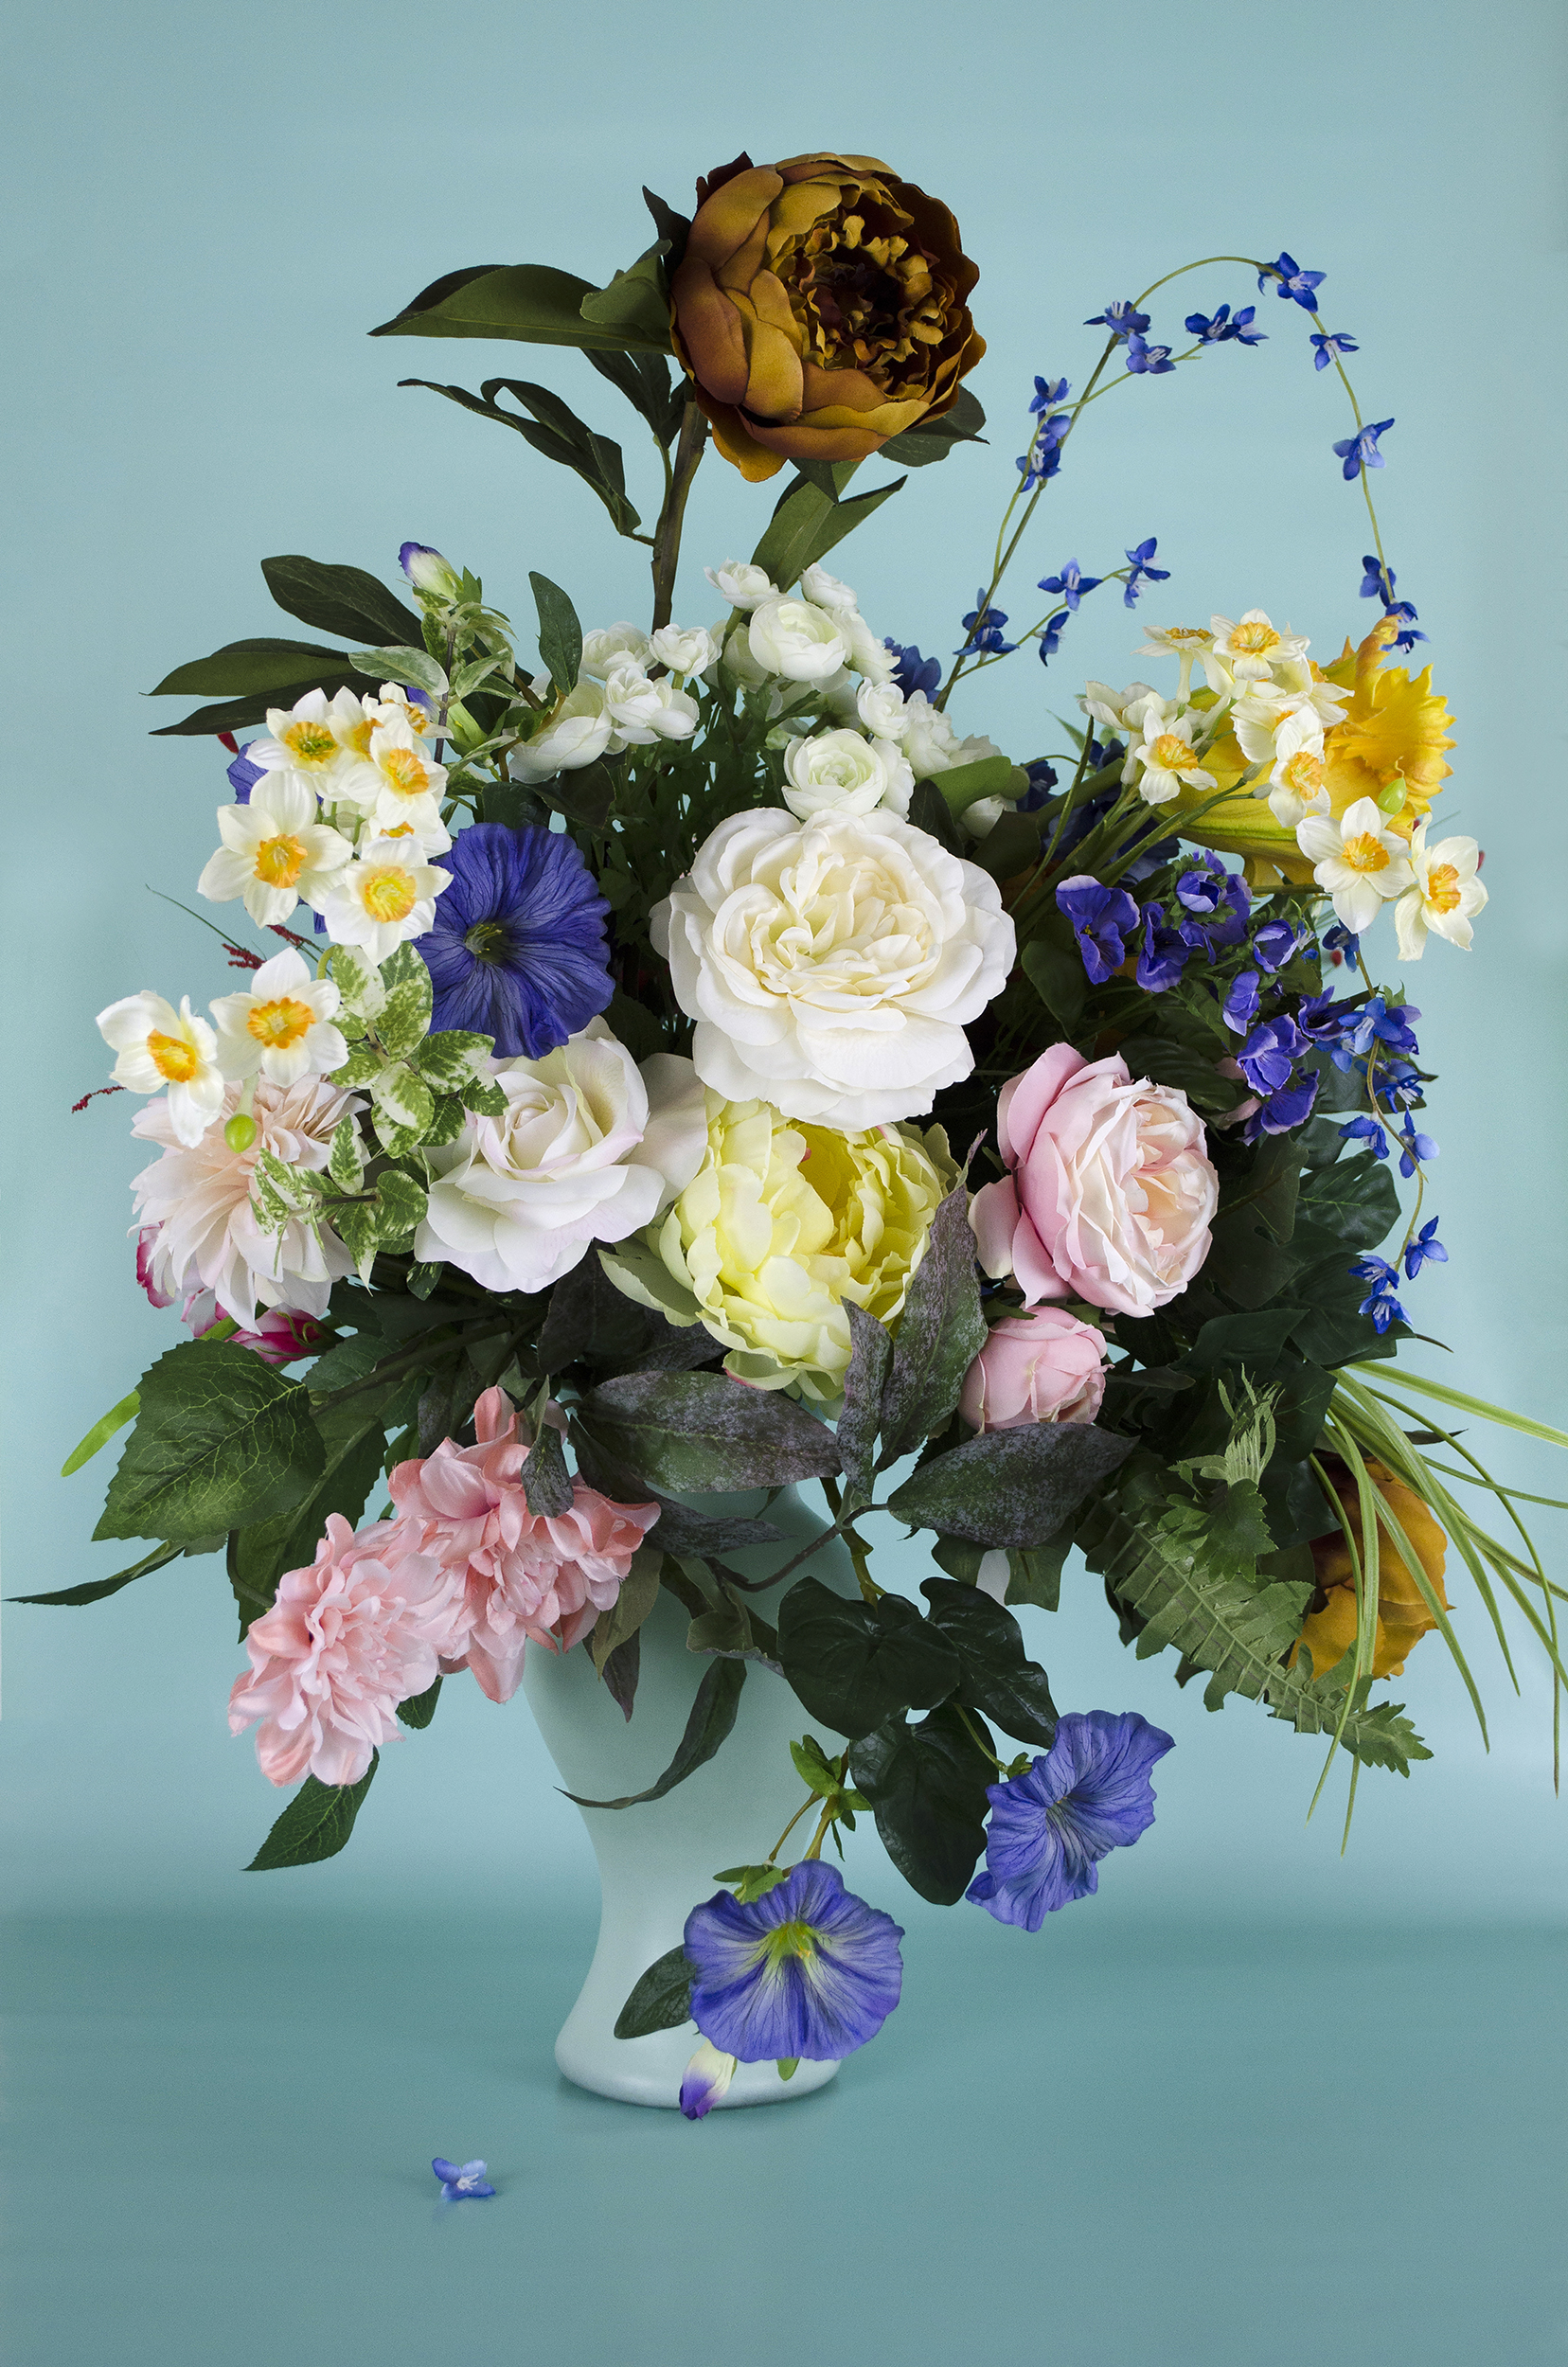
345, 820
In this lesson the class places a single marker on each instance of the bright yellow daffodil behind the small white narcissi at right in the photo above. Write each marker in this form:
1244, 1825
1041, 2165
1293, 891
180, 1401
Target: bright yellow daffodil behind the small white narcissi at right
1394, 730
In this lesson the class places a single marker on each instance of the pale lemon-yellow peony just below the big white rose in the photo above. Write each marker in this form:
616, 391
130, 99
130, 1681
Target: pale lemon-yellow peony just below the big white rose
778, 1230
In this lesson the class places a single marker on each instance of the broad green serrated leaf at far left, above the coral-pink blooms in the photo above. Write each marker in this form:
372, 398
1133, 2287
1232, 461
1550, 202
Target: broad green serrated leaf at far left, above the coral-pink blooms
221, 1440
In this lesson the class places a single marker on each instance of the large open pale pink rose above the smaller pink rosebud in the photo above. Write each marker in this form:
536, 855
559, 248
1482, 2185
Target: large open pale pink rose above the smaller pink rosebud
1110, 1194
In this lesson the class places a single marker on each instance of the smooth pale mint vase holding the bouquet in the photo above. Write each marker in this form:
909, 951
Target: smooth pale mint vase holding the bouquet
657, 1862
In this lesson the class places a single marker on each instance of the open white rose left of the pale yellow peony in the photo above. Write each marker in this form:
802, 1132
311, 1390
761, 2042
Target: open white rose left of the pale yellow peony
591, 1149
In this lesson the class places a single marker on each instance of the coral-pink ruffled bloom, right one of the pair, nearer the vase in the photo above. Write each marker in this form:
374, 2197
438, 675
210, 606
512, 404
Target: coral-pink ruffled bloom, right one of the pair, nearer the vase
518, 1573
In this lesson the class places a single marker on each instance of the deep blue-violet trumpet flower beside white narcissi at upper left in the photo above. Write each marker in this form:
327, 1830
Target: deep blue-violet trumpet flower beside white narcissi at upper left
518, 946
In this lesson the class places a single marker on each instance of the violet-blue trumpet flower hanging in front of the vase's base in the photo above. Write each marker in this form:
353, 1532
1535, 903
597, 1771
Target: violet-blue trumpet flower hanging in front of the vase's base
807, 1971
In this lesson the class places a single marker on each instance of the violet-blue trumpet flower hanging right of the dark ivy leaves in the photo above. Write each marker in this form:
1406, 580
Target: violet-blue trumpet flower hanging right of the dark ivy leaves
1065, 1814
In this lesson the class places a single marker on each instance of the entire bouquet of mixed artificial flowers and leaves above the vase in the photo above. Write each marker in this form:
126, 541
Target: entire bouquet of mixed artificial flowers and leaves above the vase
676, 1064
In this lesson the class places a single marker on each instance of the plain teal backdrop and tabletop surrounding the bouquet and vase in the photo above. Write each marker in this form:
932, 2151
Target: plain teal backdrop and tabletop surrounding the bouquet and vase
1254, 2101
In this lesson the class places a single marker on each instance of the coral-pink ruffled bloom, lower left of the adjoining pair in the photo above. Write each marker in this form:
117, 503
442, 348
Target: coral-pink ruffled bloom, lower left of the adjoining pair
342, 1646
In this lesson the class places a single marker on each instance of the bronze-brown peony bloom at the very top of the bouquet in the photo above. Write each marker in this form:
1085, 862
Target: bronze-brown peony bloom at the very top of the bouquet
821, 307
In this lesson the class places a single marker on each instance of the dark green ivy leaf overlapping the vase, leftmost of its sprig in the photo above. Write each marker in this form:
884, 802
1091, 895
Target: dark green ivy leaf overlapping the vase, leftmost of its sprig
856, 1663
